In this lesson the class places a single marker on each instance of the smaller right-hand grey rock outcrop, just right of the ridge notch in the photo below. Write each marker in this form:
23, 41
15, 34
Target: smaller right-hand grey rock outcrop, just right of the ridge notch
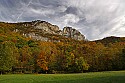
69, 32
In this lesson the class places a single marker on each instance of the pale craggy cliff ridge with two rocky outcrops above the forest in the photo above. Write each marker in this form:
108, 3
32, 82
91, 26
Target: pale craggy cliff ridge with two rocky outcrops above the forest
42, 30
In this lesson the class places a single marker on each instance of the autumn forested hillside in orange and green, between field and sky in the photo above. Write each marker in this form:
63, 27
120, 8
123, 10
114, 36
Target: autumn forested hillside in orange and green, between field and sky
21, 52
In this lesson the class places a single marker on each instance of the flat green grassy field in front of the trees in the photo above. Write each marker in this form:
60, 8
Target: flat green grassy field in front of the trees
96, 77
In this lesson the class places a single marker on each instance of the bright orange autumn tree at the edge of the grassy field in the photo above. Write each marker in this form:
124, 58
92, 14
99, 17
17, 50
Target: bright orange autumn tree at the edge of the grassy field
46, 58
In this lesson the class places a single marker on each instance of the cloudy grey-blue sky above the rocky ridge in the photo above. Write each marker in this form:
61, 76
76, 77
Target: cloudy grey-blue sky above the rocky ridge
95, 19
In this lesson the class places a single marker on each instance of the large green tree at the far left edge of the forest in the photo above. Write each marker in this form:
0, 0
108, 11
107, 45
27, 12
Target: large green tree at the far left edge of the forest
8, 56
